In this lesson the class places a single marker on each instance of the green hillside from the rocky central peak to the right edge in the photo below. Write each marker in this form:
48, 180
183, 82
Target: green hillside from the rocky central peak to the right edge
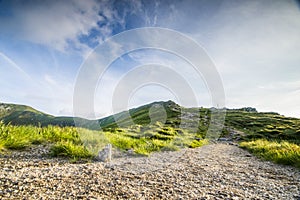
244, 123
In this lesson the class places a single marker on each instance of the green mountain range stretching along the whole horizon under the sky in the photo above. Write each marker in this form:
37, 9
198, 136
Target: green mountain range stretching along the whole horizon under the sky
245, 122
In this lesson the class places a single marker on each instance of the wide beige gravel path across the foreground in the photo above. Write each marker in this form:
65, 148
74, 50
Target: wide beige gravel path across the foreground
215, 171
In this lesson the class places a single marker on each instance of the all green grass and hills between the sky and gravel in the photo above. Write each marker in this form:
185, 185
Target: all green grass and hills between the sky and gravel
268, 135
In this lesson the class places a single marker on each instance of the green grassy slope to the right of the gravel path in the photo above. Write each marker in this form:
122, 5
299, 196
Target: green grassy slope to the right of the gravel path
269, 136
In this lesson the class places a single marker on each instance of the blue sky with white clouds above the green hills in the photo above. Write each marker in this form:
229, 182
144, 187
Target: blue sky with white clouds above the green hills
254, 46
